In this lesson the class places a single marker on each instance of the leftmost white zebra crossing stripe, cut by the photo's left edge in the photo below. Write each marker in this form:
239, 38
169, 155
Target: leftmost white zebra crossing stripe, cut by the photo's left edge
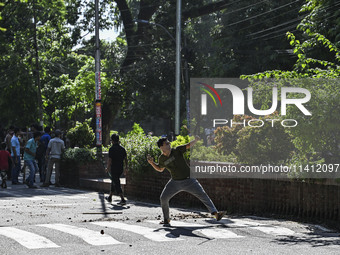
27, 239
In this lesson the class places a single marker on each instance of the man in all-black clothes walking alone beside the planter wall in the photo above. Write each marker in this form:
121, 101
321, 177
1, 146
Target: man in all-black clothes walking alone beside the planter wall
117, 157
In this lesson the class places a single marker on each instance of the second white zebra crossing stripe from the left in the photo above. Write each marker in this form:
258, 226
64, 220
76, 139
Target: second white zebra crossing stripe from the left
89, 236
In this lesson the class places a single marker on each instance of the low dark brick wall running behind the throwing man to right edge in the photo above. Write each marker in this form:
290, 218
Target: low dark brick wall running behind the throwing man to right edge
253, 196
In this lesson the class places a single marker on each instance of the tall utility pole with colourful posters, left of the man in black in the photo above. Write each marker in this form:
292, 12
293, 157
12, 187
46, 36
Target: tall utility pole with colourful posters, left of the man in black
98, 96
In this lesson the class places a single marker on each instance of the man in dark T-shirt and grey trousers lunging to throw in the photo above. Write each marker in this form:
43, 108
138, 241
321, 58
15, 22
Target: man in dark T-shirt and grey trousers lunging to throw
173, 160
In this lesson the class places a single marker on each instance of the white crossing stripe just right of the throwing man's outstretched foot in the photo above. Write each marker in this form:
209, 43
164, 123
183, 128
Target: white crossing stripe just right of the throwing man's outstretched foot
271, 230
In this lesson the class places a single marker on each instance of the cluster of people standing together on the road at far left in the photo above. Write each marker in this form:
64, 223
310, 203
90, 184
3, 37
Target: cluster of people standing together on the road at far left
41, 153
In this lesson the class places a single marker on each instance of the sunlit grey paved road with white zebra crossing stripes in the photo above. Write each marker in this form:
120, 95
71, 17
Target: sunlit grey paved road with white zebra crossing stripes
70, 221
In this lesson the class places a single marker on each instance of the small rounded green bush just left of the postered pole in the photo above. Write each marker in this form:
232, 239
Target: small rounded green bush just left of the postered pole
81, 135
